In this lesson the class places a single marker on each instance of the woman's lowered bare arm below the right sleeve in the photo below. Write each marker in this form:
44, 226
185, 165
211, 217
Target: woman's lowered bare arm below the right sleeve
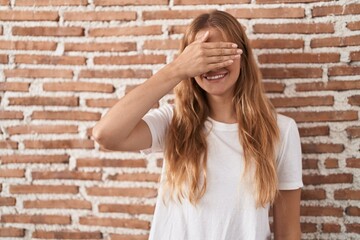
286, 215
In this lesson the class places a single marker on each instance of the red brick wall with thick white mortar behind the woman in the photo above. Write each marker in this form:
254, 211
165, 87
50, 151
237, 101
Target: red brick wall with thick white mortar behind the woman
65, 62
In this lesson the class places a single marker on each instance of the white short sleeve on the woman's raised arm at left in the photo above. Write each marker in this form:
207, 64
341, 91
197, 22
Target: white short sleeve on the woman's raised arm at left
158, 121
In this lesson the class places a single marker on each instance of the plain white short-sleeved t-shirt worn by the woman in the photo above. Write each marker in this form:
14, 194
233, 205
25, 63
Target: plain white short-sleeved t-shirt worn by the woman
228, 210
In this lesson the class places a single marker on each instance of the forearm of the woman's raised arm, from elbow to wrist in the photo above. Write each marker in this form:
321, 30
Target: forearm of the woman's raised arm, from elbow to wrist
122, 118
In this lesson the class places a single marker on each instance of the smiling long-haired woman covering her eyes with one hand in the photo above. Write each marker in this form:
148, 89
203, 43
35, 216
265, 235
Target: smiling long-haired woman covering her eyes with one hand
228, 155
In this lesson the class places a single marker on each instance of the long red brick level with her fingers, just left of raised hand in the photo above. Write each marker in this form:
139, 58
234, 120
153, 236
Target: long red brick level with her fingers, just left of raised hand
128, 60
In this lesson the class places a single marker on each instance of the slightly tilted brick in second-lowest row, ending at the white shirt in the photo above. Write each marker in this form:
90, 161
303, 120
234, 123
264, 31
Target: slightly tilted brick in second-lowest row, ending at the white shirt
115, 222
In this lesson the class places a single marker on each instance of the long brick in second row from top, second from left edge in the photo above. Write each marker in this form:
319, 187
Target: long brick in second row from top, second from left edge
100, 16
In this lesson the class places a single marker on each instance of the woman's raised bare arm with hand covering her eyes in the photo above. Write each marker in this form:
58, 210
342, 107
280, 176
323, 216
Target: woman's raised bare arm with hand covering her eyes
122, 127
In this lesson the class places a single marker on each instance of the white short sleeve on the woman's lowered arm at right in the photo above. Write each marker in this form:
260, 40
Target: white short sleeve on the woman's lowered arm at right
289, 161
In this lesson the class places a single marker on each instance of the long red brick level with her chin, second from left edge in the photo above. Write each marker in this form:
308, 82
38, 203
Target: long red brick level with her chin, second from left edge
79, 87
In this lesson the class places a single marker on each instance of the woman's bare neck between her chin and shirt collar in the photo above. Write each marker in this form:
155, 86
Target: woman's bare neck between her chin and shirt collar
222, 109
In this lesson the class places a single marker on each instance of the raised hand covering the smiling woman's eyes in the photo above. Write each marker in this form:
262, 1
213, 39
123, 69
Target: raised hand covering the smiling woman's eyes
200, 57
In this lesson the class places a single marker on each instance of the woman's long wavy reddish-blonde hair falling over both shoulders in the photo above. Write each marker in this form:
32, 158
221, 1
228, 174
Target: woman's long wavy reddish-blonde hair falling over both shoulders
186, 146
